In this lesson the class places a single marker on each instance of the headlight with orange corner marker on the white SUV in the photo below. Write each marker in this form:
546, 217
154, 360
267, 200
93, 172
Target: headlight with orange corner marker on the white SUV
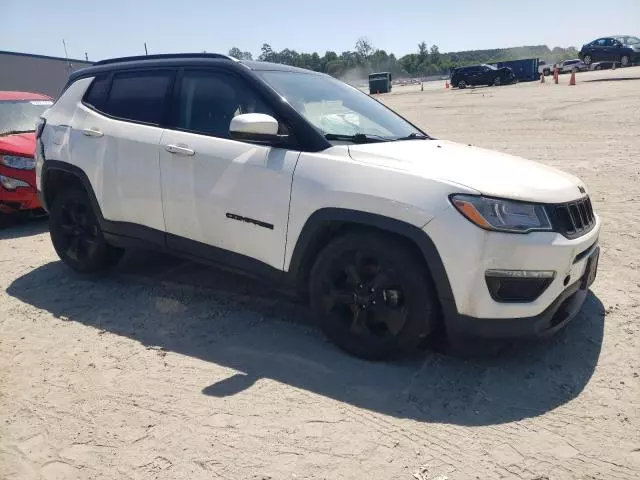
502, 215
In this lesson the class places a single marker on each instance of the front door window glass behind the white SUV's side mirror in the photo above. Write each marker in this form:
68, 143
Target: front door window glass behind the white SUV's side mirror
208, 100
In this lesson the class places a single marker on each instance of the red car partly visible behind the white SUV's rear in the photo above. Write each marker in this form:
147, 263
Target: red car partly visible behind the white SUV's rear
19, 112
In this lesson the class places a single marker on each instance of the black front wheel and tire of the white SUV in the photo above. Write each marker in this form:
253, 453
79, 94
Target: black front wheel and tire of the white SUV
371, 296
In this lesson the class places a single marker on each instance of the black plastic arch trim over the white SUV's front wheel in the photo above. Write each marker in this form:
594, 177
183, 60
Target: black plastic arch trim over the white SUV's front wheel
328, 223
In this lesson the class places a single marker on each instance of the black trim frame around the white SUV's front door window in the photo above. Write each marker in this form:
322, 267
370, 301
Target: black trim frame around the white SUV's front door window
173, 106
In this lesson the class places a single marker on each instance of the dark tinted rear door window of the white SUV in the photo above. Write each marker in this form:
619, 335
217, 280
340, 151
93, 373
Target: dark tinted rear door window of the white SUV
139, 96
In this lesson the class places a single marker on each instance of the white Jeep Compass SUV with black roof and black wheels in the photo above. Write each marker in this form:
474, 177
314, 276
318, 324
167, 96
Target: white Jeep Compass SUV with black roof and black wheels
296, 177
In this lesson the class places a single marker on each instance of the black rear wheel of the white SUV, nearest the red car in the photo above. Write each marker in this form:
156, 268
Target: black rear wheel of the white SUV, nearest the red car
76, 235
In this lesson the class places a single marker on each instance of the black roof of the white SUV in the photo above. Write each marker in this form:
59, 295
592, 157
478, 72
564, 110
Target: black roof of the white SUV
179, 59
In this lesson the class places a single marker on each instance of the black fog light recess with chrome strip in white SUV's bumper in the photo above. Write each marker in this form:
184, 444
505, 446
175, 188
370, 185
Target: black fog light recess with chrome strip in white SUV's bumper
518, 285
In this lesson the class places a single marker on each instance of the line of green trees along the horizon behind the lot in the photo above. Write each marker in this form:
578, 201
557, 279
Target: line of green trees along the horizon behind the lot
426, 61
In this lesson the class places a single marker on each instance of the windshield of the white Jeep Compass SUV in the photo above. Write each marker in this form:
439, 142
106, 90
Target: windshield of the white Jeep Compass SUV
337, 109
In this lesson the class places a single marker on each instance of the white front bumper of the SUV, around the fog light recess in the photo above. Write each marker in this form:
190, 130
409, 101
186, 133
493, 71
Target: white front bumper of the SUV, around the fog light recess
468, 252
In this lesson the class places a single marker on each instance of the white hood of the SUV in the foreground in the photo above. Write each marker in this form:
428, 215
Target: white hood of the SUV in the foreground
489, 173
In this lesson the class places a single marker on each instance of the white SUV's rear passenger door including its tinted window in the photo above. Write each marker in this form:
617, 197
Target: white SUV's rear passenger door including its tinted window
116, 135
